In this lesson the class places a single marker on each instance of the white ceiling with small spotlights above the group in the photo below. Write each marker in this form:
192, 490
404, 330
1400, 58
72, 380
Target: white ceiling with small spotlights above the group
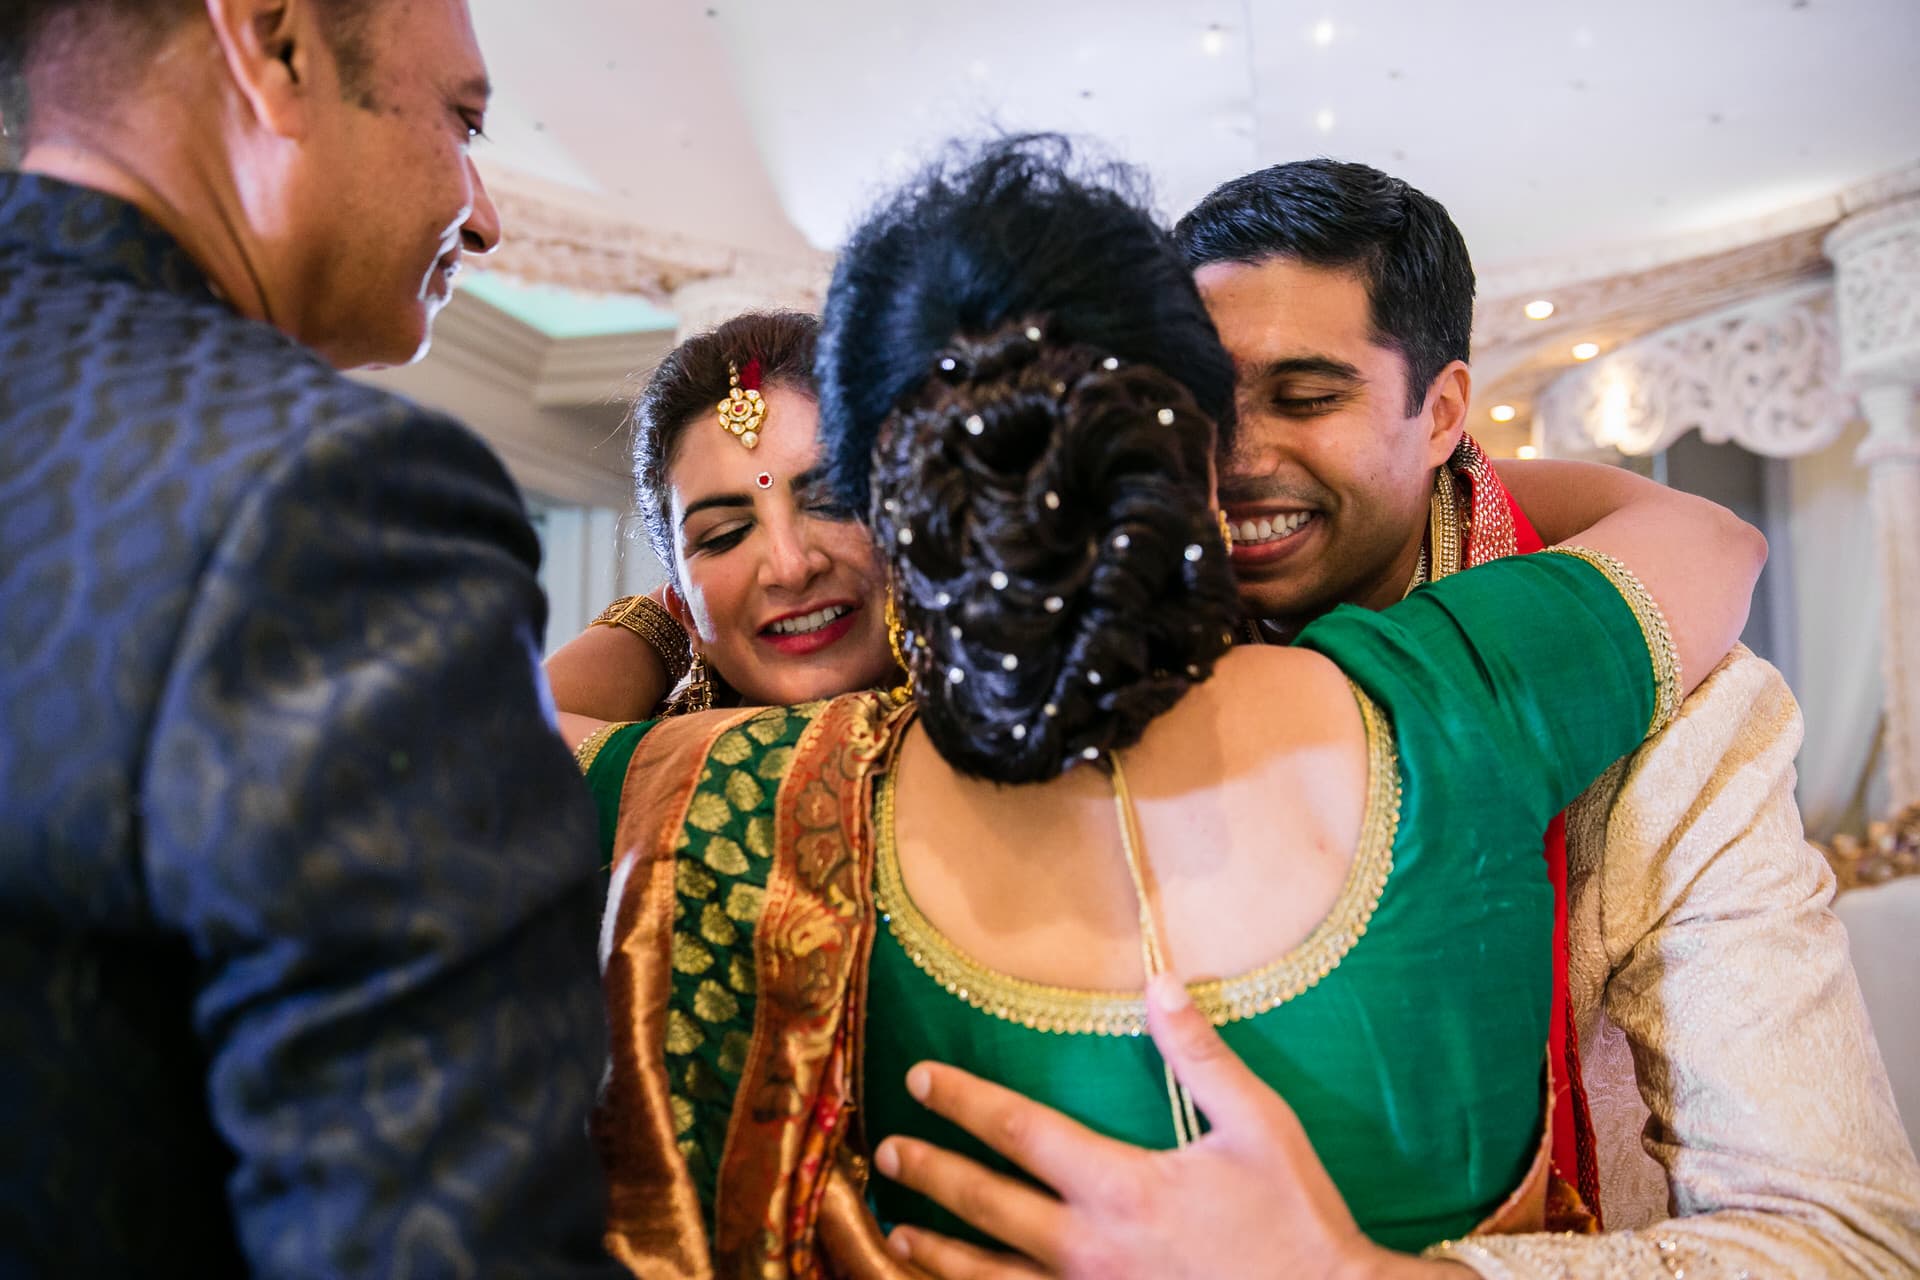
1550, 130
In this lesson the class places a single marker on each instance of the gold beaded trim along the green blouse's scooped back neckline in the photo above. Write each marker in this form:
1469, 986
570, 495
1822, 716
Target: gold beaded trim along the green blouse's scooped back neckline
1070, 1010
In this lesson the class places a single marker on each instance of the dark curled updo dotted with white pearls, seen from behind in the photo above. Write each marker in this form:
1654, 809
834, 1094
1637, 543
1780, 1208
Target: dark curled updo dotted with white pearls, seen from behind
1020, 383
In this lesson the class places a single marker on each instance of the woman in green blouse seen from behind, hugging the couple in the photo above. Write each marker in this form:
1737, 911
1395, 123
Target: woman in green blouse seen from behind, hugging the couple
1086, 786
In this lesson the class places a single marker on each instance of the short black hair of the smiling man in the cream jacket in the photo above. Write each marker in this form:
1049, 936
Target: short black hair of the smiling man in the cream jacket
1332, 214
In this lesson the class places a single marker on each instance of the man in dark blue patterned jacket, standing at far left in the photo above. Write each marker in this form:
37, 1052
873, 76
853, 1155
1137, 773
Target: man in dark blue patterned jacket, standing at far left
299, 891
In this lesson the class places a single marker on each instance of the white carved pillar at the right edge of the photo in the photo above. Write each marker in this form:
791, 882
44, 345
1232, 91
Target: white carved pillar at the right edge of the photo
1877, 287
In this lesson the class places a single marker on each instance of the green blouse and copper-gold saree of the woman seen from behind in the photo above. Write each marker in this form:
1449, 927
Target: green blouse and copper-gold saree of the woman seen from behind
769, 980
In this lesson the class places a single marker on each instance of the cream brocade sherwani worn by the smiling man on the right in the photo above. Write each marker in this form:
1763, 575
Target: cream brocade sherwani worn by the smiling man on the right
1721, 1020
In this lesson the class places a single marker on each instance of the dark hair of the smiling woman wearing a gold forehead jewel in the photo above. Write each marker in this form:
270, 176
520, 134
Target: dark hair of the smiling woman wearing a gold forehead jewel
692, 381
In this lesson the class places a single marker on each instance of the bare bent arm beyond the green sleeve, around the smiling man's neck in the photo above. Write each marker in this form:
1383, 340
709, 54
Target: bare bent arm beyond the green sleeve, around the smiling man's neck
1698, 559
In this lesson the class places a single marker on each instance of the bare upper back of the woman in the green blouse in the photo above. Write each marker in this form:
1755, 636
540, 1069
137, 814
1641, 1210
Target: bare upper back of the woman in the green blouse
1251, 797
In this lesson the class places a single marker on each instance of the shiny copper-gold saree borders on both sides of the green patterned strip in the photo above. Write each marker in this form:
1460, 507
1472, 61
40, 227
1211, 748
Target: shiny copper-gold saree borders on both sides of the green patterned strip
788, 1191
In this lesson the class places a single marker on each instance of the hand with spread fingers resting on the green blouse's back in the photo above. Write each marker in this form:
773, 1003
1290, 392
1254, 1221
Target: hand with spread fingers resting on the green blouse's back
1251, 1198
